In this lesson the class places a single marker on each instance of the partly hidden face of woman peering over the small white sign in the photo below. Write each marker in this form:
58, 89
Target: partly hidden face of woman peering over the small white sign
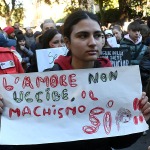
57, 41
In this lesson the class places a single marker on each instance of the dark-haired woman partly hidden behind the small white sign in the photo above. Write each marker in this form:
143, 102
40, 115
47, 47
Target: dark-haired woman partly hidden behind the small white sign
51, 39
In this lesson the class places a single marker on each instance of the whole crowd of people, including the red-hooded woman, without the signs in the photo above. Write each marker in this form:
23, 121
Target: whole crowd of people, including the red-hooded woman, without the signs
84, 38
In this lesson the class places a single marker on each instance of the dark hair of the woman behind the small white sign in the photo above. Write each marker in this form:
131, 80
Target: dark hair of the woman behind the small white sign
48, 36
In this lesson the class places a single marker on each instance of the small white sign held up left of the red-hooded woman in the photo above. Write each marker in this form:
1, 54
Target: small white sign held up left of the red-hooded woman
46, 57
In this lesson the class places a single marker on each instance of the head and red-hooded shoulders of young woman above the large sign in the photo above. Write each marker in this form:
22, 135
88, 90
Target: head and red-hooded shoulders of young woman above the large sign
83, 38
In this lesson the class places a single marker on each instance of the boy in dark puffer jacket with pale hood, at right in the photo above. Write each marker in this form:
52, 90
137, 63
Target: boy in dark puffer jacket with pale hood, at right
134, 40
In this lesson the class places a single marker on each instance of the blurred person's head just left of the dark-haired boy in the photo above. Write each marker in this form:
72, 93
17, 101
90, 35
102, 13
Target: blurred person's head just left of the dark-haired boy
117, 32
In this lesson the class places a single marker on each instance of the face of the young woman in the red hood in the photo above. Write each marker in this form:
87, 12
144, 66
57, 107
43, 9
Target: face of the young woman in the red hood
85, 41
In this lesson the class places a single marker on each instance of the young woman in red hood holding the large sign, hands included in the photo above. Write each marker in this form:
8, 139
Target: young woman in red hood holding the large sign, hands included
82, 35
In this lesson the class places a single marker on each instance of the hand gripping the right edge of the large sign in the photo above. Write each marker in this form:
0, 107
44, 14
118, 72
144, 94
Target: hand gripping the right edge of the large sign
145, 106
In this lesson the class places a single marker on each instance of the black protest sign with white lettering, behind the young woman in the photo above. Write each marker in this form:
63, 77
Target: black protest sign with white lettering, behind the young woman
118, 56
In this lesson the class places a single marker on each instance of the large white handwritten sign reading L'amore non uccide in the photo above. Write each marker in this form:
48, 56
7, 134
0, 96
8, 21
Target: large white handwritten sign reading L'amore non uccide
59, 106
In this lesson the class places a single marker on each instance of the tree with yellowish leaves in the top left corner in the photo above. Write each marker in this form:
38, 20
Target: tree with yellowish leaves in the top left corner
11, 11
